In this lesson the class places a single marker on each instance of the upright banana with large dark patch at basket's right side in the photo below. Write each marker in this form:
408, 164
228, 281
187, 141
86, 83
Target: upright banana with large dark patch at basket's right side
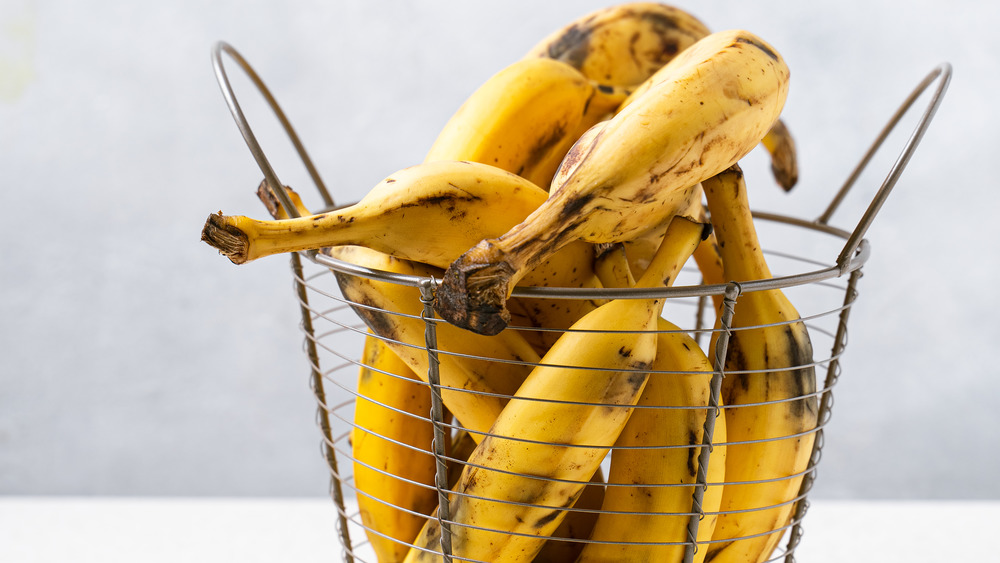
768, 365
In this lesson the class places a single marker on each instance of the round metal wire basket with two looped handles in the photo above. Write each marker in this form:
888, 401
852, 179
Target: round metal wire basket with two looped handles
823, 290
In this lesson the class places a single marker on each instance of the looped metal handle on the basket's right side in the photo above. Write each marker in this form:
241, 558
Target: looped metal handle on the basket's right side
942, 73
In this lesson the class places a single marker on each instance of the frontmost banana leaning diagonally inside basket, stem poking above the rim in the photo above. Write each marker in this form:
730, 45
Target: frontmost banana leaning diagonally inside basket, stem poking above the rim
552, 436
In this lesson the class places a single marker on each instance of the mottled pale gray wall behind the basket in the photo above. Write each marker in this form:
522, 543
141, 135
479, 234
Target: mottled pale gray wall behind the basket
136, 361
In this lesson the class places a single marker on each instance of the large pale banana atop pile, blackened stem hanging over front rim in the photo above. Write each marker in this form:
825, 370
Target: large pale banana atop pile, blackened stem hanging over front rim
662, 140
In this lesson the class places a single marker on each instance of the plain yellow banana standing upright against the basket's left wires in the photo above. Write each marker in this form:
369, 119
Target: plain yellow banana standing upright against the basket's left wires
391, 447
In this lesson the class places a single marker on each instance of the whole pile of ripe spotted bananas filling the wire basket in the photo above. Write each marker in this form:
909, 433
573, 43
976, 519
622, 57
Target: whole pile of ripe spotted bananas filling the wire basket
576, 430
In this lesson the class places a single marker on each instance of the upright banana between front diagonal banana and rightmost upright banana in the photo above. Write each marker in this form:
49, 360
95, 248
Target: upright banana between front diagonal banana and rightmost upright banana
646, 507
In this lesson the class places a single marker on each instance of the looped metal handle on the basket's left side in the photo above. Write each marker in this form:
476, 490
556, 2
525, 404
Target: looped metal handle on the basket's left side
248, 136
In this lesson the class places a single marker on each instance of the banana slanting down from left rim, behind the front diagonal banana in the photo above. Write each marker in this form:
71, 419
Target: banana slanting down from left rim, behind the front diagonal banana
478, 373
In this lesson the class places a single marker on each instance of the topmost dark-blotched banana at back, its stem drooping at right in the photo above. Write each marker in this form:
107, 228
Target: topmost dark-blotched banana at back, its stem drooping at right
624, 45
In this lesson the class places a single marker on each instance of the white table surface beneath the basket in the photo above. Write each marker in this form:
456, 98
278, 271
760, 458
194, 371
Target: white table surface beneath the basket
150, 530
